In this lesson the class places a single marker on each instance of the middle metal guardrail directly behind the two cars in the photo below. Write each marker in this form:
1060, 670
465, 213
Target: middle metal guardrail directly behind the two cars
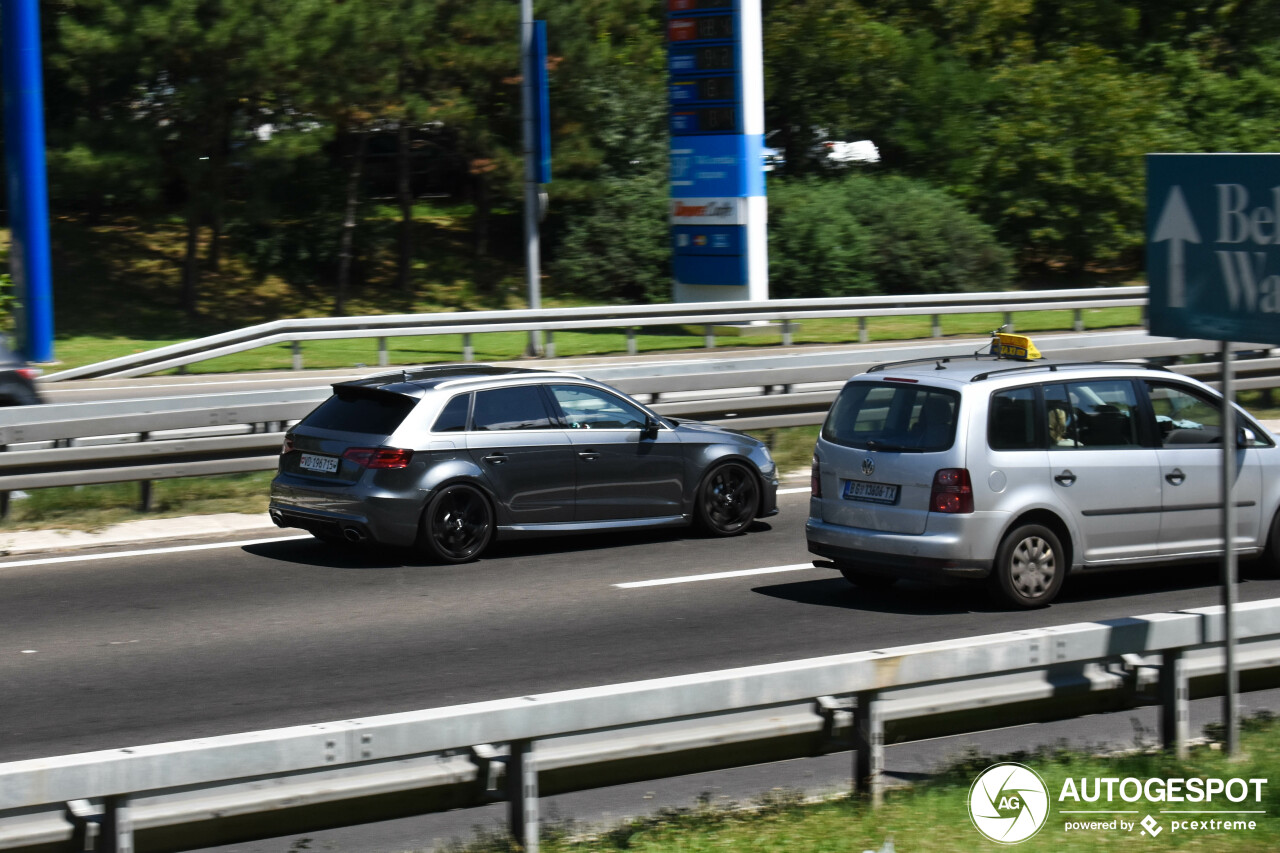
228, 434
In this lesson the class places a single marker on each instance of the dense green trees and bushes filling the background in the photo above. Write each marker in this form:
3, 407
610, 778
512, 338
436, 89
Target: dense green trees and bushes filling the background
299, 138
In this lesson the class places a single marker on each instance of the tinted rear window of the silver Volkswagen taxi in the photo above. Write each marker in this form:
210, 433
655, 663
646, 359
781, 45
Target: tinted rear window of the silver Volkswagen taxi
892, 417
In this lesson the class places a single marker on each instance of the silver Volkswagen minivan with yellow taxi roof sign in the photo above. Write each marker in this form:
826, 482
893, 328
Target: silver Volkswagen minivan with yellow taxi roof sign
1023, 472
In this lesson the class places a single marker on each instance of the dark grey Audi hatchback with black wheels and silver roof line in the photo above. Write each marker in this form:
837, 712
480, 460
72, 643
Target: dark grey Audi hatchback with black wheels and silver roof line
450, 458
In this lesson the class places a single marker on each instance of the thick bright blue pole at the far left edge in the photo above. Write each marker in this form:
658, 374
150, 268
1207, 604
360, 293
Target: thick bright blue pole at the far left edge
29, 194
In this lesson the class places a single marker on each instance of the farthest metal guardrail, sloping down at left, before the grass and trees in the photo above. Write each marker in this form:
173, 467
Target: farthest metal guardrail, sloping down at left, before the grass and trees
707, 316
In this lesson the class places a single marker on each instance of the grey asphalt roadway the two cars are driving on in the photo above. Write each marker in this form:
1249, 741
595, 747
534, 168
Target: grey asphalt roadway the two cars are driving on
102, 653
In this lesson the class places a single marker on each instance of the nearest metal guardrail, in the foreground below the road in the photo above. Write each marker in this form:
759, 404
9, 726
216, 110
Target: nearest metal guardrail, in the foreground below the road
195, 793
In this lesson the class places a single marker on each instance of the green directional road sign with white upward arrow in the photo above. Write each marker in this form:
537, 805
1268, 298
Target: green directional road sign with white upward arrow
1214, 247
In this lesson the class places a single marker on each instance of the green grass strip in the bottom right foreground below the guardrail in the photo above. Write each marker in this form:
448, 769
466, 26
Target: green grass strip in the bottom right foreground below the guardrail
934, 816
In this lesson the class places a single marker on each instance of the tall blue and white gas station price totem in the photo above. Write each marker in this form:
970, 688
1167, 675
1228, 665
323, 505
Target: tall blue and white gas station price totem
717, 140
